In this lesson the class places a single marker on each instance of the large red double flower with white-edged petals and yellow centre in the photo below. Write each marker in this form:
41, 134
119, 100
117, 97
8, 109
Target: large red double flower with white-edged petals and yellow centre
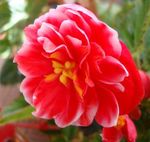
76, 69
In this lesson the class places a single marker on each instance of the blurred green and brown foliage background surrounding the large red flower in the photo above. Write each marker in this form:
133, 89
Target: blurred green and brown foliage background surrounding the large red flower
131, 18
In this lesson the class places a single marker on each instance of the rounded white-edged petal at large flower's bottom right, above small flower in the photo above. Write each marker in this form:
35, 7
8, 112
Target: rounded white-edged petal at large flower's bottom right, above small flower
108, 111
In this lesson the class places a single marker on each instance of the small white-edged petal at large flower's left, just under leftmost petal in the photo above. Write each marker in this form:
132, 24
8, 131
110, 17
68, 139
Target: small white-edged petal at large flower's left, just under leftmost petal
28, 87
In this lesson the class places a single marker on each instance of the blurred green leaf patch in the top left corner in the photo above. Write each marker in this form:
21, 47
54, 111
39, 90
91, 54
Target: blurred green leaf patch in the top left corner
5, 13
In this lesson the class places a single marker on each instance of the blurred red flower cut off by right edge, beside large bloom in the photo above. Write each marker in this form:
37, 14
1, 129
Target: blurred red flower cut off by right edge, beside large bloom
146, 83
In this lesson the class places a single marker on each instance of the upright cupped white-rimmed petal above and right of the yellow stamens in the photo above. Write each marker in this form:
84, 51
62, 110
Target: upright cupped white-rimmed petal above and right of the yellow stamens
76, 40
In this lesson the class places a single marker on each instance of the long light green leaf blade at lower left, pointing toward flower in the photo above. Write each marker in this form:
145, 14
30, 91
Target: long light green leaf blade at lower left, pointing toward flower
18, 115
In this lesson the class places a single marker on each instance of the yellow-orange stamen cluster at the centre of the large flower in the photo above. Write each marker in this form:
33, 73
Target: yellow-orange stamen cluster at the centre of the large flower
64, 72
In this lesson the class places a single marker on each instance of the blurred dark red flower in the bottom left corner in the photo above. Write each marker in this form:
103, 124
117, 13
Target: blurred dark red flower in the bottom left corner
7, 132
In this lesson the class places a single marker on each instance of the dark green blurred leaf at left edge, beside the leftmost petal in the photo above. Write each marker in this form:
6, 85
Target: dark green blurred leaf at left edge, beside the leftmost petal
9, 73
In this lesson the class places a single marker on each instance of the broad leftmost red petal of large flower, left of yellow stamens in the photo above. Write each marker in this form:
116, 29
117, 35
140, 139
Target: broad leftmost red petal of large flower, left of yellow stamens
30, 61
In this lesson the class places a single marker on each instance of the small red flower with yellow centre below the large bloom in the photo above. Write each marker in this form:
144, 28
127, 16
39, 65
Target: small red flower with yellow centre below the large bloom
125, 128
